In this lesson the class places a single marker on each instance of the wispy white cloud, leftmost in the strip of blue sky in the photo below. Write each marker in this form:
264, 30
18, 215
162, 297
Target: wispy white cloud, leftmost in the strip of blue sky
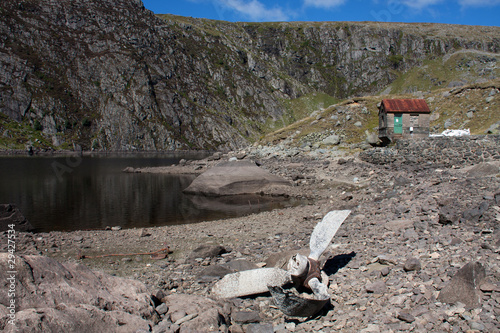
254, 10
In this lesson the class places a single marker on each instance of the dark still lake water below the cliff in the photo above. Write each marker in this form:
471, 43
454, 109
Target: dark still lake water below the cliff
91, 192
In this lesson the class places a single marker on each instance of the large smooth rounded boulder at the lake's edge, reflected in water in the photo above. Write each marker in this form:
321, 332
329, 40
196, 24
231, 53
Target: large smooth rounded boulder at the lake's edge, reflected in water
235, 178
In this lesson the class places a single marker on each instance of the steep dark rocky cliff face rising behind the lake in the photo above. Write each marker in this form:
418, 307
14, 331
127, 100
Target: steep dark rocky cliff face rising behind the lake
111, 75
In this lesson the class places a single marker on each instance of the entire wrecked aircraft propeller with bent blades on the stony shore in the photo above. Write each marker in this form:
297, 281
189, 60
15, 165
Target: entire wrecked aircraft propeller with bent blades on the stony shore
284, 285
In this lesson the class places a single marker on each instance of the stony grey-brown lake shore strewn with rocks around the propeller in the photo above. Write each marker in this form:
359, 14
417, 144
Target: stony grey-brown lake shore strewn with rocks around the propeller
414, 224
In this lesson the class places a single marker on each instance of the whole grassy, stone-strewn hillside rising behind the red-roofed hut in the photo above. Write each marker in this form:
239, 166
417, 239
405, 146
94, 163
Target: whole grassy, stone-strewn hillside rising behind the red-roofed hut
434, 81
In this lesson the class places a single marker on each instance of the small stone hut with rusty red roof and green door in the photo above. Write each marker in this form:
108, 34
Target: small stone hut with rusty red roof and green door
403, 118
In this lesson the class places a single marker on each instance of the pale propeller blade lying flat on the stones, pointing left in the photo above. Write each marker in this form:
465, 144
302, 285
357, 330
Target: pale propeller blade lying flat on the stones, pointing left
251, 282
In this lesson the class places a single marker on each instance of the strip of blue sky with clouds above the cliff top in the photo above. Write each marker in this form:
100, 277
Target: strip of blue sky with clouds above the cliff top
470, 12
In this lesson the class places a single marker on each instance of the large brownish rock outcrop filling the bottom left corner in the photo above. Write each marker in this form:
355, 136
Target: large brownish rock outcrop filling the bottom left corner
55, 297
